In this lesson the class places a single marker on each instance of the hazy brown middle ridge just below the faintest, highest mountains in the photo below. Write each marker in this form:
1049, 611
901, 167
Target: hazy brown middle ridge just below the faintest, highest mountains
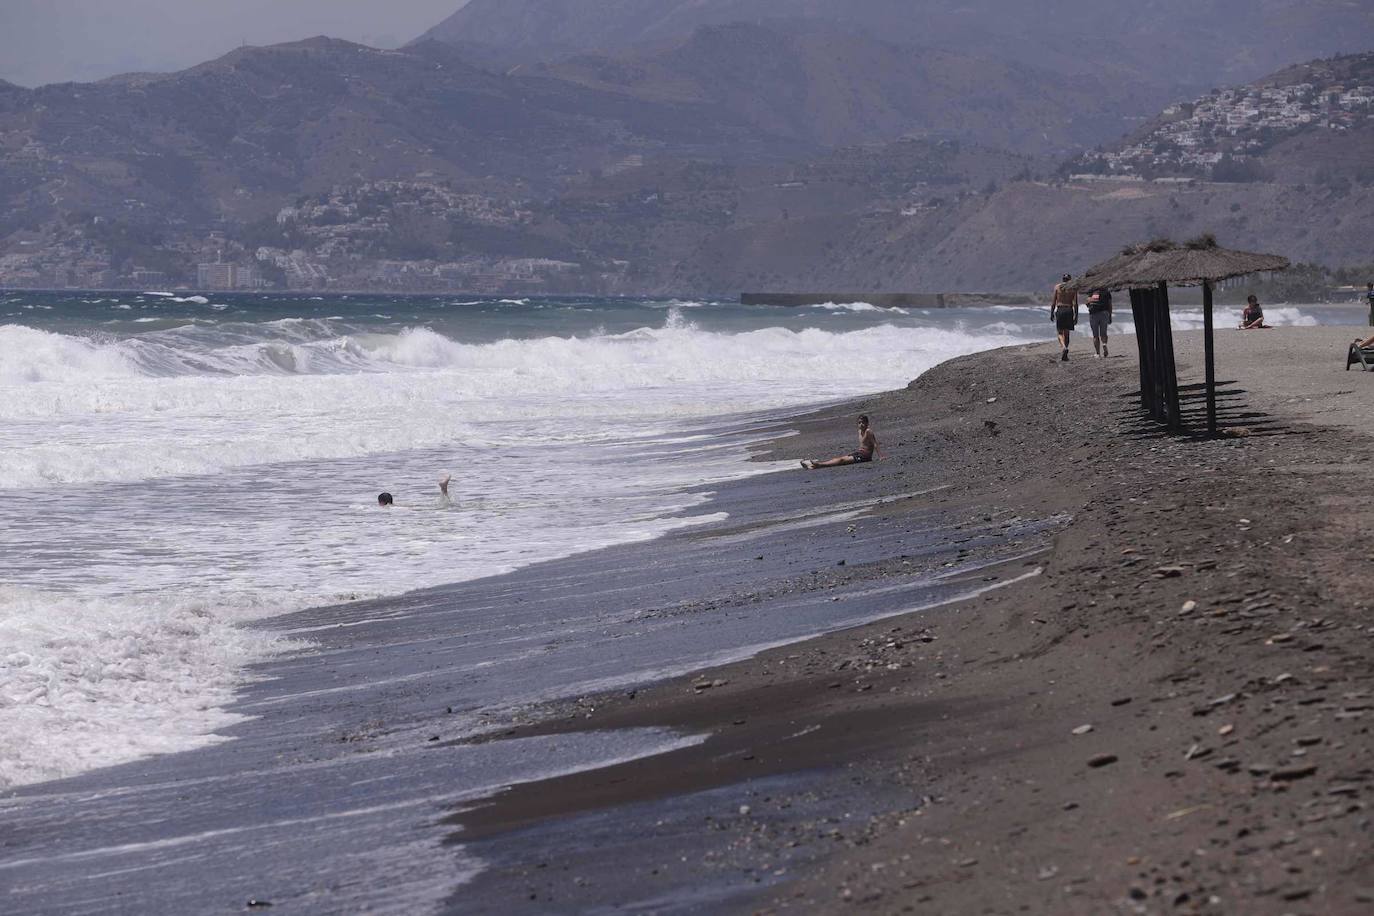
828, 86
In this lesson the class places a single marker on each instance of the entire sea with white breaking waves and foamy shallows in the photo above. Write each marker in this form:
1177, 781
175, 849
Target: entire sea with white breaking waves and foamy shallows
174, 466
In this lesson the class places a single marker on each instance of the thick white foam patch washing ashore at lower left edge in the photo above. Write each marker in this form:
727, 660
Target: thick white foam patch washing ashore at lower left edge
90, 682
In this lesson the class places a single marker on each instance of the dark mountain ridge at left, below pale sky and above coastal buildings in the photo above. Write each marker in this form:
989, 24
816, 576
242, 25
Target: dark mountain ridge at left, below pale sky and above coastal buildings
232, 139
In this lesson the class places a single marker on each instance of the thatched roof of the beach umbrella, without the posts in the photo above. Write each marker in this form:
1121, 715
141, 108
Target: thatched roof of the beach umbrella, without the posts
1188, 264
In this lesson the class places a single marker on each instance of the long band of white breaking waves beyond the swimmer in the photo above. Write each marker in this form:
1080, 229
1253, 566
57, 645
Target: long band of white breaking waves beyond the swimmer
194, 400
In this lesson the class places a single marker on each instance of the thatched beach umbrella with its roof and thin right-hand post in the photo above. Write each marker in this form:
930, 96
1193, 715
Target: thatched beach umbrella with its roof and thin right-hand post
1197, 263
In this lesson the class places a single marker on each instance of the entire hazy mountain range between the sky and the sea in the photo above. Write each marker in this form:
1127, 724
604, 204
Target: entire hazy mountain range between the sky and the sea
664, 146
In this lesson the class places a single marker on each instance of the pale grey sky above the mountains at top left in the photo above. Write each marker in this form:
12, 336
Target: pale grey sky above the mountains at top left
64, 41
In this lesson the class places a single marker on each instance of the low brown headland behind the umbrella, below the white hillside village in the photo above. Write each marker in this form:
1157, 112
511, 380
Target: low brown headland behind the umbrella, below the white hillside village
1023, 237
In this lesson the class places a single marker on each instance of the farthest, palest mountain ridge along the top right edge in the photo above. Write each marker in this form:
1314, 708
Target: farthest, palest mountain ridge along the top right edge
1175, 43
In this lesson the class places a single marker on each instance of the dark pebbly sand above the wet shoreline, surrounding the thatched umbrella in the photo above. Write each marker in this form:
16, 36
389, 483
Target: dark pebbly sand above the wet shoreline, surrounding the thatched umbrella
1173, 718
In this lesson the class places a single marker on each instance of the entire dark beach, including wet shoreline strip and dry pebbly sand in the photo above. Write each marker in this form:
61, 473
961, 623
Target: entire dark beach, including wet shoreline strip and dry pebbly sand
864, 687
